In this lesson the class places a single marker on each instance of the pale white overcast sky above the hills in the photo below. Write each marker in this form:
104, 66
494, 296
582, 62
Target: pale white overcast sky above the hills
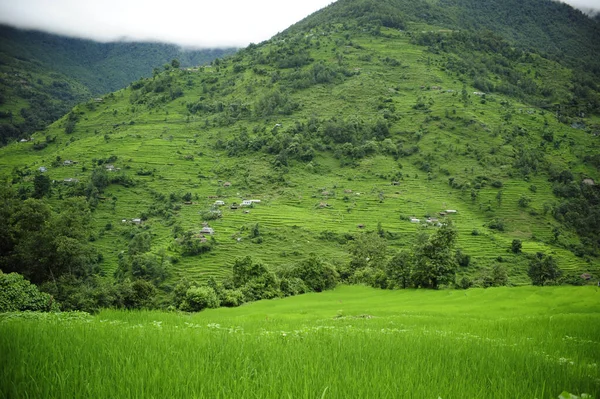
196, 23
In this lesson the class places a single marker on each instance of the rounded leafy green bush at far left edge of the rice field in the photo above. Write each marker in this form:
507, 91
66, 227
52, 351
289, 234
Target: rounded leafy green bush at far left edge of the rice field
18, 294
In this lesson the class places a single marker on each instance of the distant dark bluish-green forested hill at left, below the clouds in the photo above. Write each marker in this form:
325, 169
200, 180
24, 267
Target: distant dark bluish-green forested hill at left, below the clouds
43, 75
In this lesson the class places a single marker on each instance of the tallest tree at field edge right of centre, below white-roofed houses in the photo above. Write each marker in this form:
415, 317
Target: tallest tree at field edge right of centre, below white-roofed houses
435, 263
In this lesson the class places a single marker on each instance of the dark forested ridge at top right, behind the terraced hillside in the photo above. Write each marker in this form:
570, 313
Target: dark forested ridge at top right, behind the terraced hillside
546, 26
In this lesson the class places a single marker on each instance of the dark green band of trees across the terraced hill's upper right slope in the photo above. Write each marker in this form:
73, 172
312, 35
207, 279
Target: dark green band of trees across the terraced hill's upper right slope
494, 66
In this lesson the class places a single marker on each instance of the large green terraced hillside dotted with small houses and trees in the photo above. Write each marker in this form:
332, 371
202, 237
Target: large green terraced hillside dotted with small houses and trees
344, 131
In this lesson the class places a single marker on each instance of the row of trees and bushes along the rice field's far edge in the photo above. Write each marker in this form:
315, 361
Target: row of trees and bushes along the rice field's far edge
67, 275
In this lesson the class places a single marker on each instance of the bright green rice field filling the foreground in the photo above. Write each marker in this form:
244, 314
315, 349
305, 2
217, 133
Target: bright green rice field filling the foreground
353, 342
